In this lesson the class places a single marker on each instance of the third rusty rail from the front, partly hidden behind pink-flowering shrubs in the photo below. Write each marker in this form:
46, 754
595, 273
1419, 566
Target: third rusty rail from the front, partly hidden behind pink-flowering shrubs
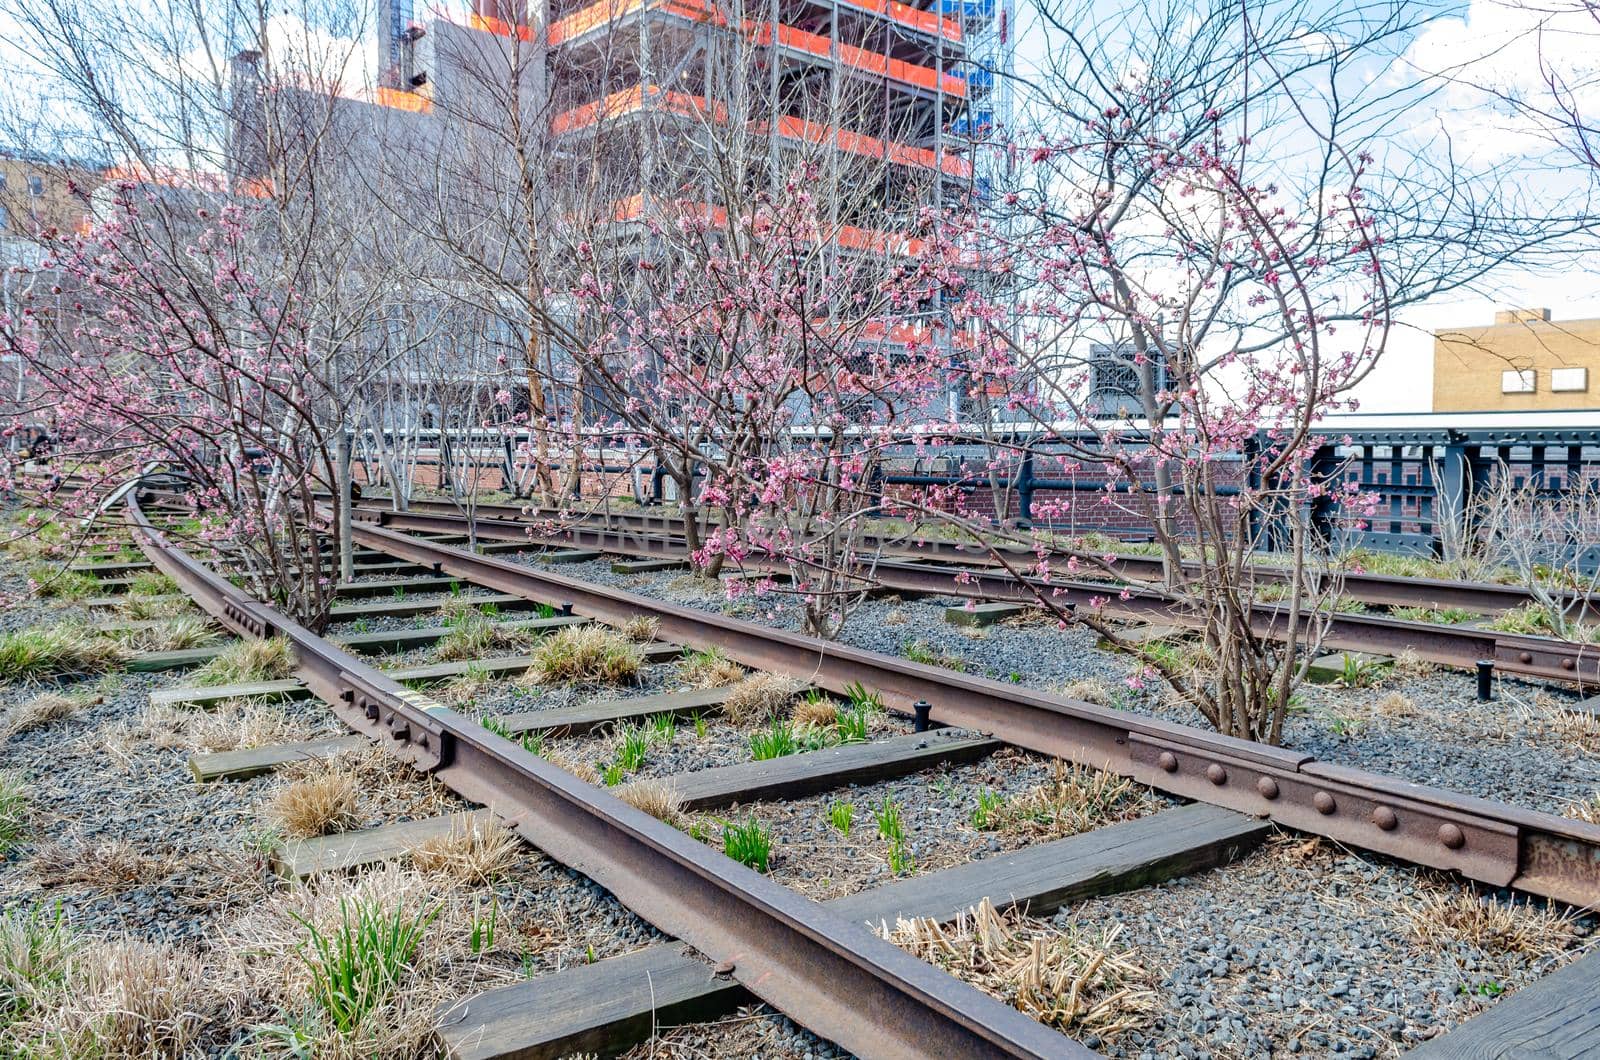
1450, 646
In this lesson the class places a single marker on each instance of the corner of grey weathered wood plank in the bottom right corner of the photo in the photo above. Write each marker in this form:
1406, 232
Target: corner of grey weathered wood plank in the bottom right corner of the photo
1554, 1019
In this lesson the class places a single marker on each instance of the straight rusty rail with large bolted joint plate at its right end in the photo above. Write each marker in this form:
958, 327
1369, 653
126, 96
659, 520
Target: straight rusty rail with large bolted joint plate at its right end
1486, 841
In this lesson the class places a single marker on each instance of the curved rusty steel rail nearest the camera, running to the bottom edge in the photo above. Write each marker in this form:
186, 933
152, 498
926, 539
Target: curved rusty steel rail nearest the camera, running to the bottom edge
830, 974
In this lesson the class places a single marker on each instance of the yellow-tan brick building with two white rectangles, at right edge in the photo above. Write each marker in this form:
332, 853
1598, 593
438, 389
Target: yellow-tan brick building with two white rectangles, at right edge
1524, 361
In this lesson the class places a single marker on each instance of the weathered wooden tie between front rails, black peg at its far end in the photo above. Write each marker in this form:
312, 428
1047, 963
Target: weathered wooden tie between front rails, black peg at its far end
798, 776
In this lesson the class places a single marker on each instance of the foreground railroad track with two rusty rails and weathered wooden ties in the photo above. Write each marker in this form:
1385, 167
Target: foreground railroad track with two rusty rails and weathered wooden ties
817, 963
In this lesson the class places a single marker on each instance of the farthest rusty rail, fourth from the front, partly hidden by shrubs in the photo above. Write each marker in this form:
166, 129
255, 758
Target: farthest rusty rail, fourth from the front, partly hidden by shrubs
1378, 590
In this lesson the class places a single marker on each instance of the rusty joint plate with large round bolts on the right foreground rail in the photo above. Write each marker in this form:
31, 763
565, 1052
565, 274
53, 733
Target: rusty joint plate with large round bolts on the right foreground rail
1415, 832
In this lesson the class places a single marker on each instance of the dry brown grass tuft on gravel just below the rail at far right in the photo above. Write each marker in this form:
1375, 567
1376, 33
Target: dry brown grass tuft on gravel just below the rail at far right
1449, 915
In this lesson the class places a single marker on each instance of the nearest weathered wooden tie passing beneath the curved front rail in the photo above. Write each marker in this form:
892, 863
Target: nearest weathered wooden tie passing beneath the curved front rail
609, 1006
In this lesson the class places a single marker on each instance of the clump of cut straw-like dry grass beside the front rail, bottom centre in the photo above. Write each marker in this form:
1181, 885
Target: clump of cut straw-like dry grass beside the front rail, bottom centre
1074, 979
